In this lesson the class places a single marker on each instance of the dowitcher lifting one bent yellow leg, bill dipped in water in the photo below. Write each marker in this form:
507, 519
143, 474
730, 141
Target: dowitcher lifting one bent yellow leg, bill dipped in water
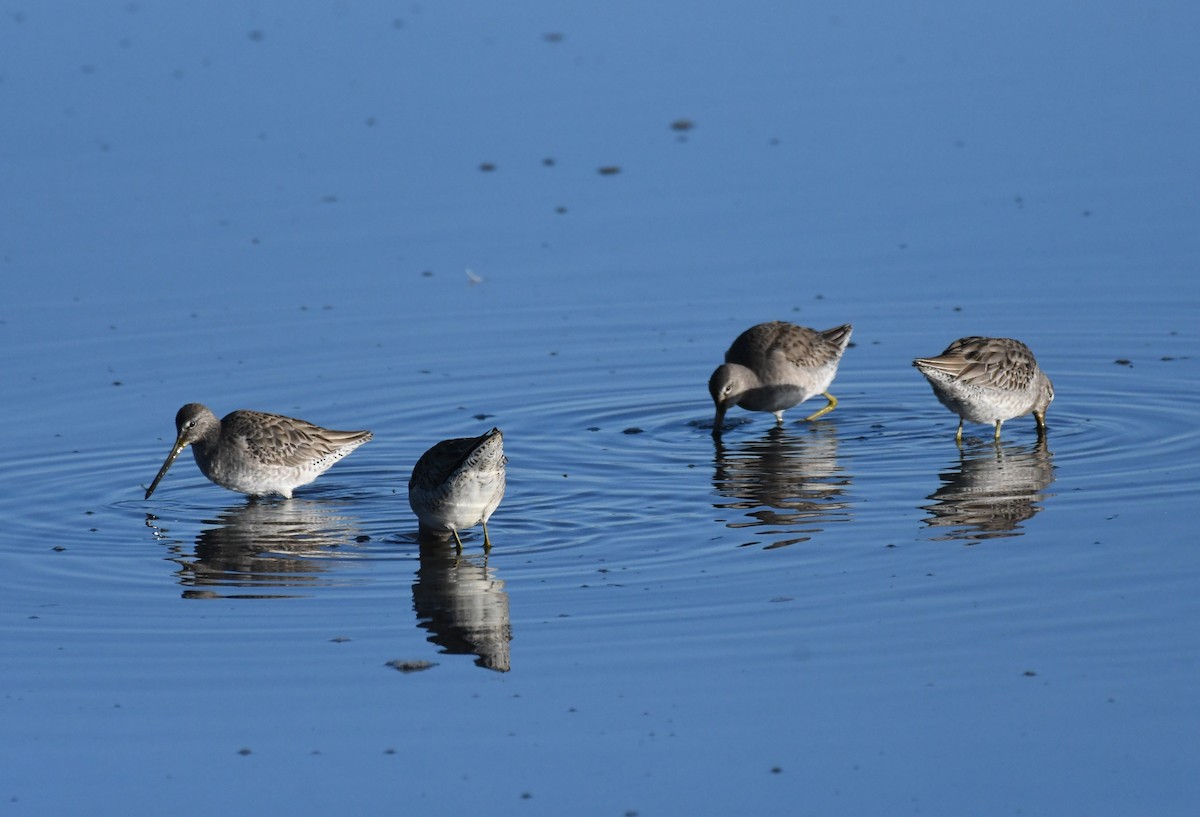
775, 367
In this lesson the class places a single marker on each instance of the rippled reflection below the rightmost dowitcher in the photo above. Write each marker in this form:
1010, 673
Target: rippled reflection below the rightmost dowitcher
992, 492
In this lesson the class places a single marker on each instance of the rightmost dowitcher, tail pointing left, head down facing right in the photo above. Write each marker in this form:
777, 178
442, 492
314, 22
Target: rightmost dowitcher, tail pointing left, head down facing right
988, 381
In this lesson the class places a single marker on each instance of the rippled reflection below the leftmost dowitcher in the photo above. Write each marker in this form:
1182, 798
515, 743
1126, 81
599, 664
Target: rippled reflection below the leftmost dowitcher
262, 545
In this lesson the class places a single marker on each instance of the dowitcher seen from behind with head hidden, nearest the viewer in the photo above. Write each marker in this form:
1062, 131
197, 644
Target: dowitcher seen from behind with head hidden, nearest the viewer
459, 484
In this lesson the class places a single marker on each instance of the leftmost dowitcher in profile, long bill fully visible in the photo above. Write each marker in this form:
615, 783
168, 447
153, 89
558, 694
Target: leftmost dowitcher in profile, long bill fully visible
255, 453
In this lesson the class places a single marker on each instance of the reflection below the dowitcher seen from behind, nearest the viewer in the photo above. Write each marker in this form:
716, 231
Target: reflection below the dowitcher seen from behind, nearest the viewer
463, 605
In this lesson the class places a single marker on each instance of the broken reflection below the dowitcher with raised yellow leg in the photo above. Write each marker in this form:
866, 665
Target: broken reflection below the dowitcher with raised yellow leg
788, 484
